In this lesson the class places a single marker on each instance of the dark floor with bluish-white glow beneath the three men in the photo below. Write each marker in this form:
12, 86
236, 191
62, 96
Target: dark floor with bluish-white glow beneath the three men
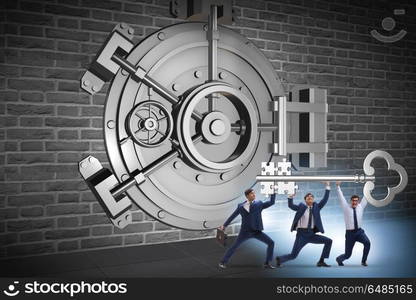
391, 255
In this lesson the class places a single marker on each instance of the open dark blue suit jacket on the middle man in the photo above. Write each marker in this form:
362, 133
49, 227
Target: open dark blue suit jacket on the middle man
316, 212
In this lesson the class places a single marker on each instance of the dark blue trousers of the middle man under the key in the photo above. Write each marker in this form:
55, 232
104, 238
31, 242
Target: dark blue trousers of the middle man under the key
304, 237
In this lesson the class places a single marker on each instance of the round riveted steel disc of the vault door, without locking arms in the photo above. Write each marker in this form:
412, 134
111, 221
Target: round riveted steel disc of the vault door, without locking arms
214, 124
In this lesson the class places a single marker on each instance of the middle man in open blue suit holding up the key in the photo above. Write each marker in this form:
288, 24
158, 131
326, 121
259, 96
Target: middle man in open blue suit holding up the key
307, 223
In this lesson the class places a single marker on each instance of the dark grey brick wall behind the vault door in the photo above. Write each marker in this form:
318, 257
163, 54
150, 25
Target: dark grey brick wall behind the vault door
48, 124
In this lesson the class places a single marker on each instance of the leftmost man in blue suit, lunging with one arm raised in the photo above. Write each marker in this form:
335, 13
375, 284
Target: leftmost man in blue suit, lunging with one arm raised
251, 226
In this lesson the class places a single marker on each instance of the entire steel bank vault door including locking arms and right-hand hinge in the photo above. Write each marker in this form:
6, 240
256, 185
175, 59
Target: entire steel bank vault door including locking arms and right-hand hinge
191, 113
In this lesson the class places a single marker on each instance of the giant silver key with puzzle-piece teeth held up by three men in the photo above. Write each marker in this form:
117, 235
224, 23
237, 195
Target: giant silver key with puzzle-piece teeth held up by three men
279, 179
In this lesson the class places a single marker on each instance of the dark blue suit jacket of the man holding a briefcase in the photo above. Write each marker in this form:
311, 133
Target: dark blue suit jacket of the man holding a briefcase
251, 220
